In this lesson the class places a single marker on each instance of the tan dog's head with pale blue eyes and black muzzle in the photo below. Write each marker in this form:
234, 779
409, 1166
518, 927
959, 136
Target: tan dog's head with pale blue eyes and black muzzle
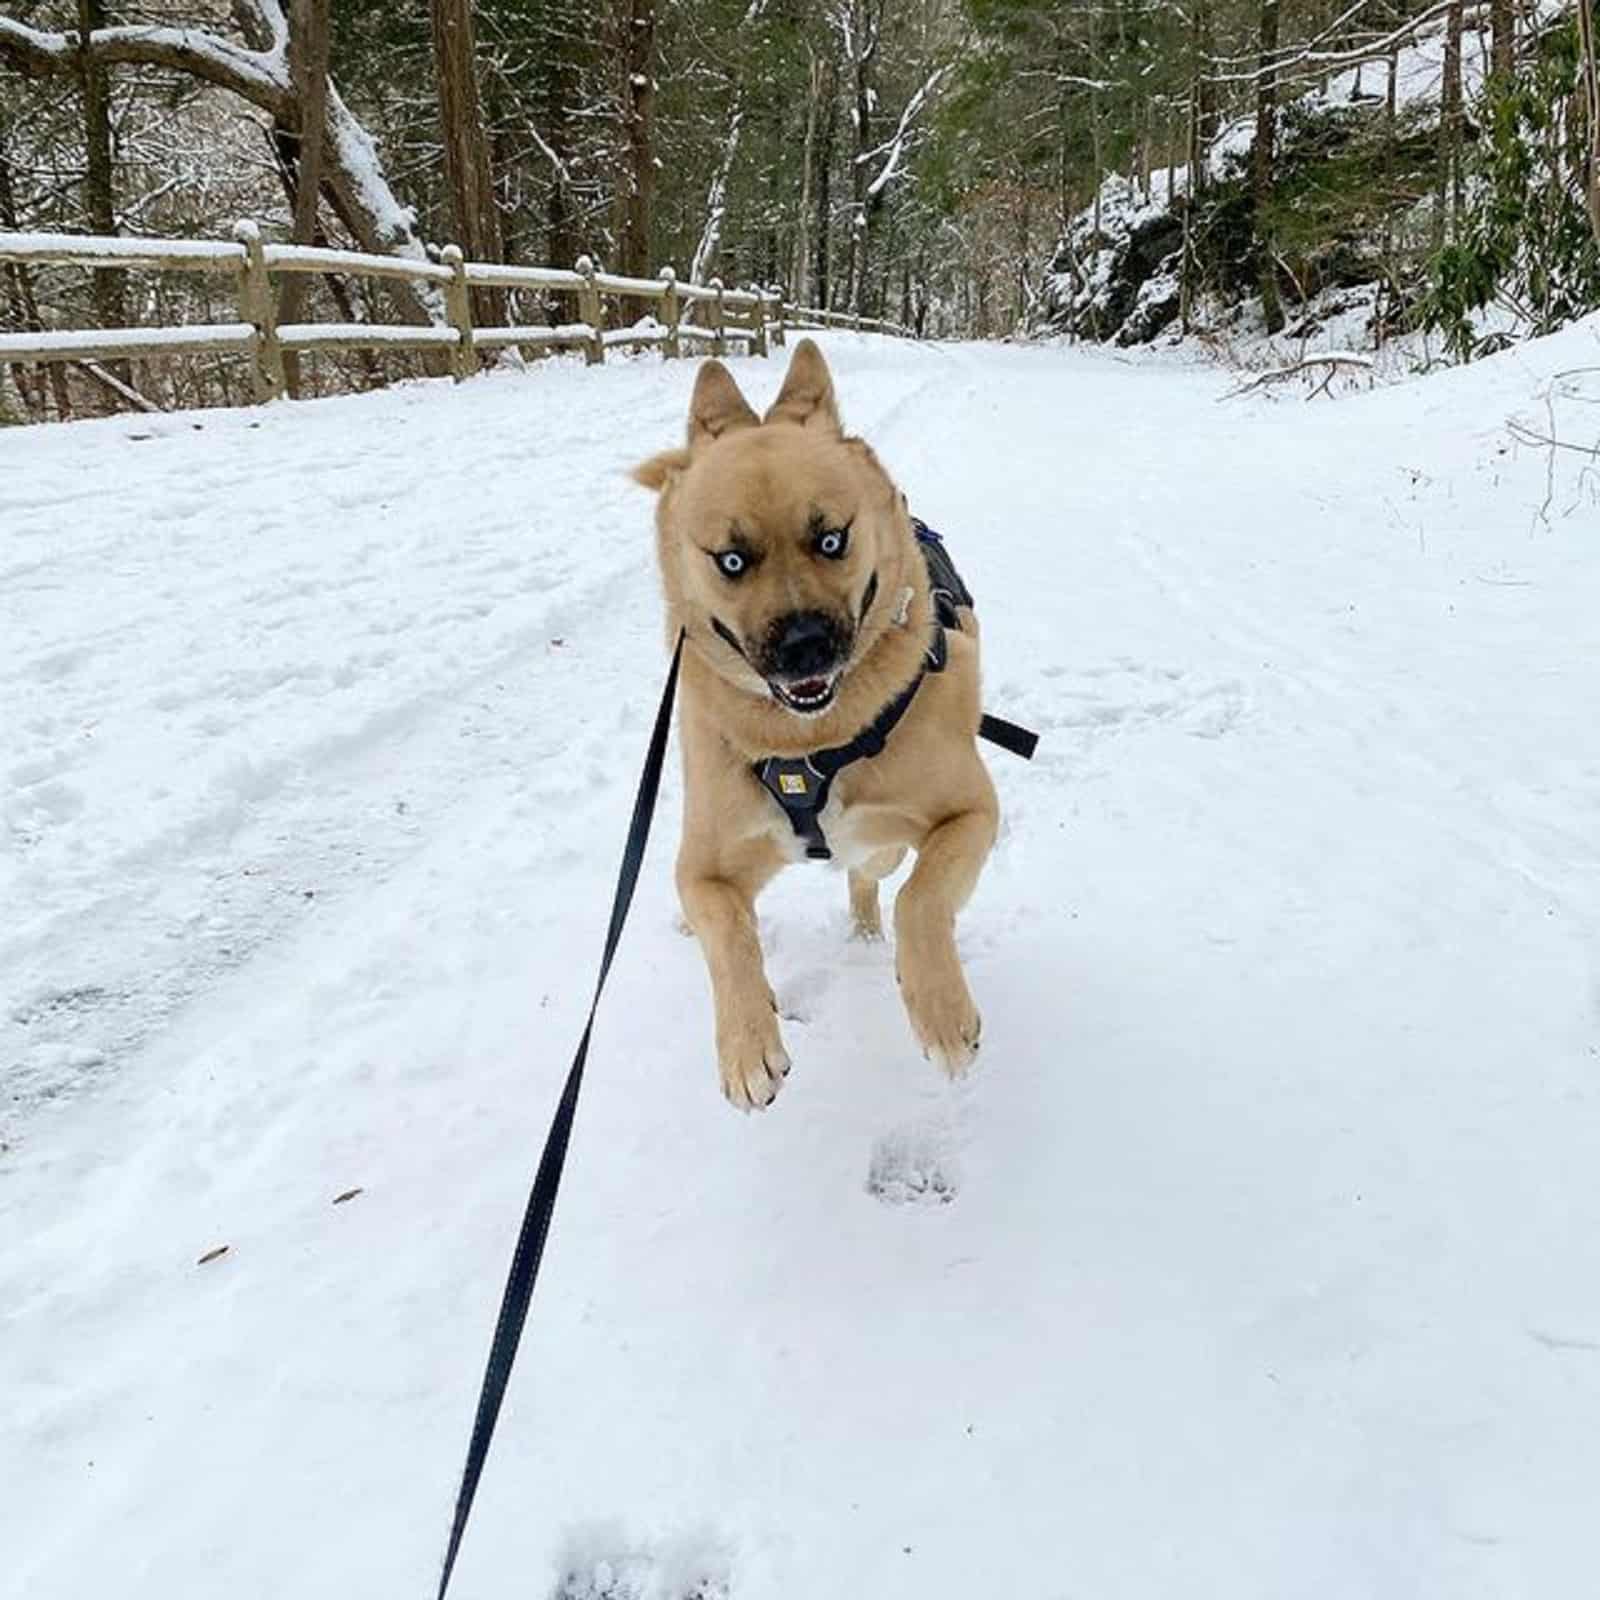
778, 535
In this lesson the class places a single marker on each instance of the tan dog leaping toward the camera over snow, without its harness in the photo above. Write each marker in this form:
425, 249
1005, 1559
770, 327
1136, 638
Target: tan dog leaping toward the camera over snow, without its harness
790, 564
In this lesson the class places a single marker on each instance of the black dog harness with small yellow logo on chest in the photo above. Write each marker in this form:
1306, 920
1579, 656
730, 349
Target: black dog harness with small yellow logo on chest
801, 785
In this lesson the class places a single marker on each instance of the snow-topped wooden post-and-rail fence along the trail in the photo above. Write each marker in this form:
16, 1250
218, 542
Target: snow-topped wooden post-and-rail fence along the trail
754, 318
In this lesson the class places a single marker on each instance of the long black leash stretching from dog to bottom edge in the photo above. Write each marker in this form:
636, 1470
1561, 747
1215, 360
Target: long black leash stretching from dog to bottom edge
542, 1202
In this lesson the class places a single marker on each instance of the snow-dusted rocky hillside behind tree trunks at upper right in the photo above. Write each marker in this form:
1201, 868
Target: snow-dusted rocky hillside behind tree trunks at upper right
1345, 218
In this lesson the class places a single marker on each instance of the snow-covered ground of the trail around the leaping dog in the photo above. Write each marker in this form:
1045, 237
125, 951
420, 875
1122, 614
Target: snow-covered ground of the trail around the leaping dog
1271, 1254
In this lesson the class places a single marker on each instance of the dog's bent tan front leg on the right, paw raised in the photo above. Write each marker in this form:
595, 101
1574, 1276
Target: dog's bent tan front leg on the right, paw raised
930, 975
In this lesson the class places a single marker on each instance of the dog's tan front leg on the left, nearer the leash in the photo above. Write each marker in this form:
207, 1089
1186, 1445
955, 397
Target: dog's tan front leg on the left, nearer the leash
750, 1049
